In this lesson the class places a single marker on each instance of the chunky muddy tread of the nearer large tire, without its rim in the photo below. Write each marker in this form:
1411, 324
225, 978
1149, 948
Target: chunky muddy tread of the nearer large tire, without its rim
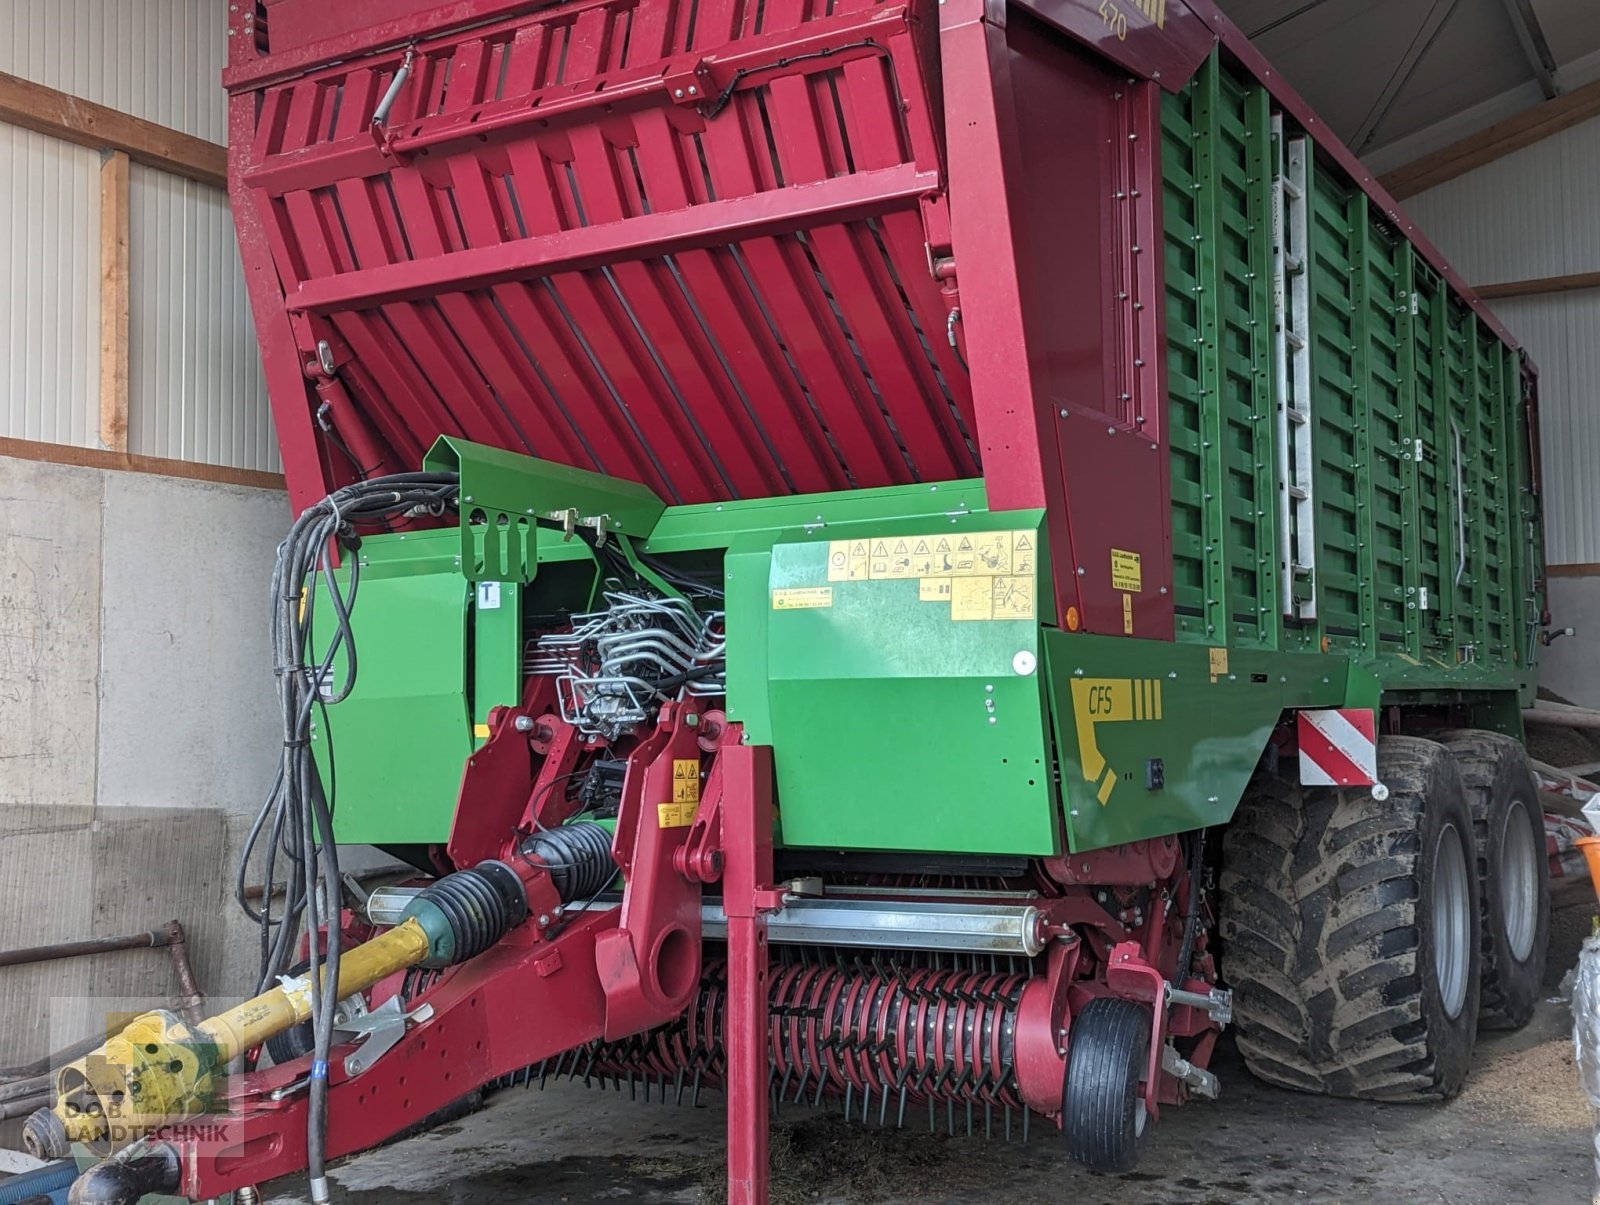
1321, 934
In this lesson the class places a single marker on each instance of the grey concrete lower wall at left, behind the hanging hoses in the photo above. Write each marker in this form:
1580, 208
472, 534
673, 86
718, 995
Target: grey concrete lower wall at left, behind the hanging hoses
137, 732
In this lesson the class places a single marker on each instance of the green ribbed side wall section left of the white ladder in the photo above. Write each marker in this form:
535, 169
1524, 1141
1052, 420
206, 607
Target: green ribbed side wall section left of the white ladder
1217, 212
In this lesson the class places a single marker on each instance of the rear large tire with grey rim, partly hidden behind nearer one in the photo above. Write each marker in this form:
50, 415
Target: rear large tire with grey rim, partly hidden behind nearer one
1508, 830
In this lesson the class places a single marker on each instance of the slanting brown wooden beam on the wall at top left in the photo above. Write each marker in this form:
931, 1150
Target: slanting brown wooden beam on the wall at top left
71, 119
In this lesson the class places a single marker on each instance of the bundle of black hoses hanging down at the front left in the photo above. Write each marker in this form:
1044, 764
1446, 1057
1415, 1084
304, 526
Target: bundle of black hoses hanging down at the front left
297, 815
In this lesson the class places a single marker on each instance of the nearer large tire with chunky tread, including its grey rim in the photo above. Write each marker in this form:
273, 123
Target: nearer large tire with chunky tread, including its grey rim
1337, 911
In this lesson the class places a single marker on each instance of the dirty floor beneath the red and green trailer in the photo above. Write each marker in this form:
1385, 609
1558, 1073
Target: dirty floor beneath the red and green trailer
1521, 1132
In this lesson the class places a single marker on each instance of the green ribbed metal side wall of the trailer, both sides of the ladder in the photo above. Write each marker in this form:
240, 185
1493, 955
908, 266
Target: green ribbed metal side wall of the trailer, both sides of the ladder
1428, 534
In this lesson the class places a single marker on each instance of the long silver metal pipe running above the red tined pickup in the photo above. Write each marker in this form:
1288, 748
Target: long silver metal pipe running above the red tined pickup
868, 924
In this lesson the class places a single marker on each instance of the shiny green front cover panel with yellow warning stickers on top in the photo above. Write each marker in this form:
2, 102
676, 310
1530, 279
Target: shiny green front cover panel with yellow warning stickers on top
897, 724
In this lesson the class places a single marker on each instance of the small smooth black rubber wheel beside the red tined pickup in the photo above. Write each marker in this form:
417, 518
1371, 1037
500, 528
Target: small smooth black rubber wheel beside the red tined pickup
1102, 1105
